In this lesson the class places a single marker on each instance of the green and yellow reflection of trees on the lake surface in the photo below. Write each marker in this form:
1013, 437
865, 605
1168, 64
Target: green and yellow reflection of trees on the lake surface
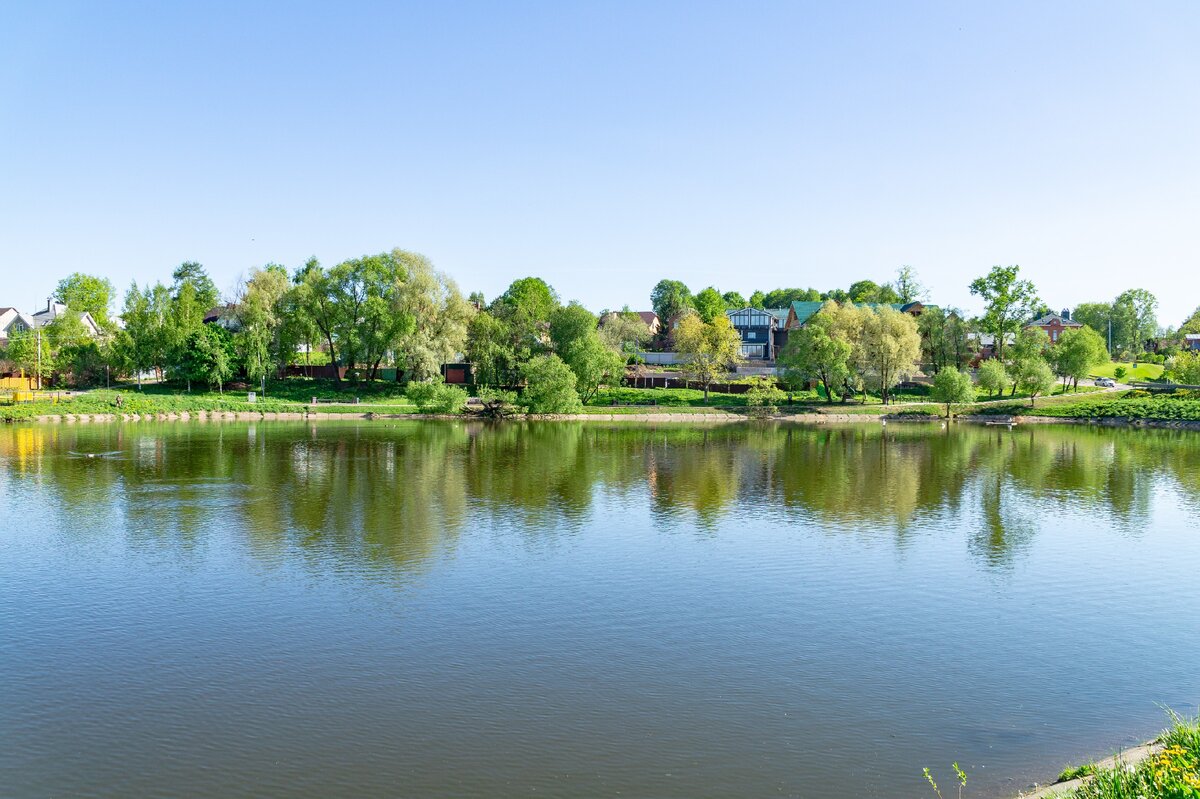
392, 496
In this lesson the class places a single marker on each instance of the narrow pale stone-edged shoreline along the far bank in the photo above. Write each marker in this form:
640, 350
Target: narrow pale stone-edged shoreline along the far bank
673, 418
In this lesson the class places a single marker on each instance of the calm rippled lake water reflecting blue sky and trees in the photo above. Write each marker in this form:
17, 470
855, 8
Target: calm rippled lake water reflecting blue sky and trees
442, 610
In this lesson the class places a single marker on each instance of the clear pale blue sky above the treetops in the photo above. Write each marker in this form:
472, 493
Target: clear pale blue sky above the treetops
605, 146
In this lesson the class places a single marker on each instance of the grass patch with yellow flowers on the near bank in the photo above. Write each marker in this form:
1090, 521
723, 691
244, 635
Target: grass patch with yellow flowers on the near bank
1172, 774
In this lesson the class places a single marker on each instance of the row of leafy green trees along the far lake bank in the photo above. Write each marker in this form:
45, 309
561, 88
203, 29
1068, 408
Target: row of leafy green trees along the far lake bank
394, 310
